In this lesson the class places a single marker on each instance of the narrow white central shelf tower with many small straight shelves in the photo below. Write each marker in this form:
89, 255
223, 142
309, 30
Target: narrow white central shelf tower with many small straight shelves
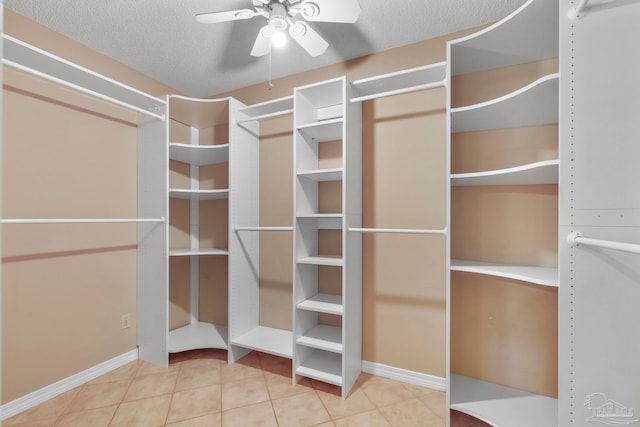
327, 201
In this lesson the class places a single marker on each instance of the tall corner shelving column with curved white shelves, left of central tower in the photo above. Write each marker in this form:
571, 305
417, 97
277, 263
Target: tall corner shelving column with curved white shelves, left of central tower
198, 217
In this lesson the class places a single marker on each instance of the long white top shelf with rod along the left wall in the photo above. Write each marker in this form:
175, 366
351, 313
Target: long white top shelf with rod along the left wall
44, 64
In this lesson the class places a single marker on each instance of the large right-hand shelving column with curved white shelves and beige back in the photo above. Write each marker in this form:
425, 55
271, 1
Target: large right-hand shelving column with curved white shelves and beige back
528, 35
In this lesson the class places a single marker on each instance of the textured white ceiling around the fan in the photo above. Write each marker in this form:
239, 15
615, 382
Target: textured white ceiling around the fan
161, 38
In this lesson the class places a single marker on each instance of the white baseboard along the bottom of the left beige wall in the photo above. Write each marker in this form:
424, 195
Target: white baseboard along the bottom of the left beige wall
39, 396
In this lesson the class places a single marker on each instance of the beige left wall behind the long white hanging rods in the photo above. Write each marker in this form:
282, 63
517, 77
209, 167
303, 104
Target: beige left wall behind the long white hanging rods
64, 287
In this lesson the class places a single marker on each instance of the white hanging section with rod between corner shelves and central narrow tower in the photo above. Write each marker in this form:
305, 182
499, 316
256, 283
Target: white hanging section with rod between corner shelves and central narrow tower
246, 331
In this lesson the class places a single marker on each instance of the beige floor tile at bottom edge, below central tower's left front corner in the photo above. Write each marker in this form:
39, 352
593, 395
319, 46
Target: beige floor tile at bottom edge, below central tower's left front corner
300, 410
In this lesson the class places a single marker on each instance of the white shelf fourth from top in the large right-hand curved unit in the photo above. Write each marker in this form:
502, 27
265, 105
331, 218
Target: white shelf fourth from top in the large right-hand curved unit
538, 275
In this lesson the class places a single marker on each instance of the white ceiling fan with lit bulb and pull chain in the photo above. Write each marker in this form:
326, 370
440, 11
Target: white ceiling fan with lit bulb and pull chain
281, 14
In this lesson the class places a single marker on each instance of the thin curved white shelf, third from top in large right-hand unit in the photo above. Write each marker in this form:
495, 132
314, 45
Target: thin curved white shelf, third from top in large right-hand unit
544, 172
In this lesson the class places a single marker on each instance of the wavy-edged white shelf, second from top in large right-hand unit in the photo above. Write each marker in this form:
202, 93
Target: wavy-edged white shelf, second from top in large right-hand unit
534, 104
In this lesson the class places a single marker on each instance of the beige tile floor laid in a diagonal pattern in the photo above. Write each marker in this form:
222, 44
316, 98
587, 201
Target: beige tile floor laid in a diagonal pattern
201, 390
